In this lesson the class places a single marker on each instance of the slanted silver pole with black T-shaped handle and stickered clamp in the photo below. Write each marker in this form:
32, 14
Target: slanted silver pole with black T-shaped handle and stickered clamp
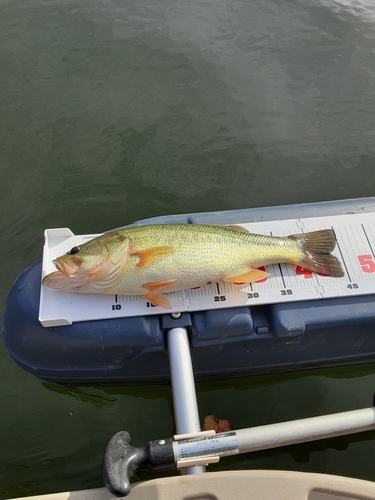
122, 460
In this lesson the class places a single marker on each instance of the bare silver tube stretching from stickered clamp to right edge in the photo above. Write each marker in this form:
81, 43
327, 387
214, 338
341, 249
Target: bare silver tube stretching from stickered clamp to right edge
308, 429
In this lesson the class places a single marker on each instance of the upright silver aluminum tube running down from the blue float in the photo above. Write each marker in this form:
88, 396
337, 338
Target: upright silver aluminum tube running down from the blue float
183, 387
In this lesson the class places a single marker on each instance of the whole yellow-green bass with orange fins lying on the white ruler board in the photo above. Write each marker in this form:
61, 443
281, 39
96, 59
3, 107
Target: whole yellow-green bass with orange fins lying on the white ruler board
156, 259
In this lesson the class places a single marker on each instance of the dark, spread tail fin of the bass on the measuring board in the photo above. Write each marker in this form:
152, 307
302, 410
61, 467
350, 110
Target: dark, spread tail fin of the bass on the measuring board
316, 247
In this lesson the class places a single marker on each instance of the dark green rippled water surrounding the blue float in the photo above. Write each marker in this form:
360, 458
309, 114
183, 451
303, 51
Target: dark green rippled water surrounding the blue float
120, 110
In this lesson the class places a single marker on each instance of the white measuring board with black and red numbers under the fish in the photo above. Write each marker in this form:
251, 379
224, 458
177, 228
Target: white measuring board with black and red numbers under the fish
355, 249
